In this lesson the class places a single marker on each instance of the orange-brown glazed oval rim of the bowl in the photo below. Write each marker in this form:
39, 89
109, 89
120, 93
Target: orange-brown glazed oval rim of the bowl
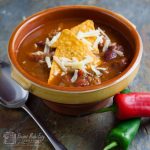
134, 63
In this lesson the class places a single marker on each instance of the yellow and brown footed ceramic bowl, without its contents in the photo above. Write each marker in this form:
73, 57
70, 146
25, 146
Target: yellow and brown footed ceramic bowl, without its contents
76, 100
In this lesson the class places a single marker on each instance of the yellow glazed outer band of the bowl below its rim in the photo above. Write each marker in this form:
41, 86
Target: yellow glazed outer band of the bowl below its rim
73, 97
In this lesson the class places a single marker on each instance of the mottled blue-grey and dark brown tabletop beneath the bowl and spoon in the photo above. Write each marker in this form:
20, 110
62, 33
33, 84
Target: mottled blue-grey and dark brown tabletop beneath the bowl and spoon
19, 132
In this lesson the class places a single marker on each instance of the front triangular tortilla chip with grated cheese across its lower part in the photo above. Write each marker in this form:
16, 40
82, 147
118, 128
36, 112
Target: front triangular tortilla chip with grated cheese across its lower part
69, 46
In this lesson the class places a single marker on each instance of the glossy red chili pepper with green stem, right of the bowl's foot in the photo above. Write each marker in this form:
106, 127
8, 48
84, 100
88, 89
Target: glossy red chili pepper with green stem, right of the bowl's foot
130, 105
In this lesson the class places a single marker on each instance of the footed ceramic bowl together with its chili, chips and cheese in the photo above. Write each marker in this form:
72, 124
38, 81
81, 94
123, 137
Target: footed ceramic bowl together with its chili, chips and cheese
75, 57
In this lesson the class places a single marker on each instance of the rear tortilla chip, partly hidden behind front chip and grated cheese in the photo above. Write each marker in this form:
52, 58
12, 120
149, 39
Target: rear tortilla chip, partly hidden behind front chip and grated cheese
83, 27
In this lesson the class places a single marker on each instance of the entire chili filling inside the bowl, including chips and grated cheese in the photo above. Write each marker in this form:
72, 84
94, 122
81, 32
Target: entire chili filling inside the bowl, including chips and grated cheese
110, 53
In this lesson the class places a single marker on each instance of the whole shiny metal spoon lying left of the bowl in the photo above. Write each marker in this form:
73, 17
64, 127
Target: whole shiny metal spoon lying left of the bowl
12, 95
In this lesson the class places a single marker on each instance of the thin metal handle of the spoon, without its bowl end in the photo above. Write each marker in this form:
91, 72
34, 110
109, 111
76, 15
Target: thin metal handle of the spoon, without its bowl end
56, 144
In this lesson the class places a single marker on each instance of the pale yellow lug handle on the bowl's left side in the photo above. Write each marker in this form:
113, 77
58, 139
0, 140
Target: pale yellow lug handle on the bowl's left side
22, 81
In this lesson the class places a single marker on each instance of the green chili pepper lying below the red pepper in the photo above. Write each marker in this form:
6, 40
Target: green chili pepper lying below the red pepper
123, 134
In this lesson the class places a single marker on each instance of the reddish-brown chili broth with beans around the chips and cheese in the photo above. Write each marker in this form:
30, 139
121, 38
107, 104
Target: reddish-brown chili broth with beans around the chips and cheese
114, 63
